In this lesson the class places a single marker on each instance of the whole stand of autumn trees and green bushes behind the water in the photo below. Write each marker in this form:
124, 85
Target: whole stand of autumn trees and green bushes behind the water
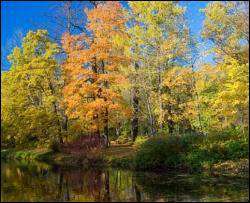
133, 77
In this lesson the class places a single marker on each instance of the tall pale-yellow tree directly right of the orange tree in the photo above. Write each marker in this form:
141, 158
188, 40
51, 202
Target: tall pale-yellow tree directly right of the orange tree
158, 40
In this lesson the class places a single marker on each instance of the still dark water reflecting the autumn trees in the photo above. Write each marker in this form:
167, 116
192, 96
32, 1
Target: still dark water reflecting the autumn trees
31, 181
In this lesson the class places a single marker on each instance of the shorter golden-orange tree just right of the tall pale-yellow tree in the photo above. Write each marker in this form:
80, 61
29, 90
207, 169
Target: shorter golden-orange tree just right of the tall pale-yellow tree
178, 98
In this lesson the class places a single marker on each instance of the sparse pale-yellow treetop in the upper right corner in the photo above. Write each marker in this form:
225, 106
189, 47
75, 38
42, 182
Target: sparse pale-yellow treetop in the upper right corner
227, 26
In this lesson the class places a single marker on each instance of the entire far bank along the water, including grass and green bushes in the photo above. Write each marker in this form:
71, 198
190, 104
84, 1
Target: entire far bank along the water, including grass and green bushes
224, 154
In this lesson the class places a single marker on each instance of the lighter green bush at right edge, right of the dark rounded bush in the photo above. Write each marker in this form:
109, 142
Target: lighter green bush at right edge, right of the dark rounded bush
221, 146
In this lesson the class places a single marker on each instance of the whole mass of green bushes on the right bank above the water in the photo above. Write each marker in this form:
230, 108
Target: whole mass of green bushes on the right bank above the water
190, 150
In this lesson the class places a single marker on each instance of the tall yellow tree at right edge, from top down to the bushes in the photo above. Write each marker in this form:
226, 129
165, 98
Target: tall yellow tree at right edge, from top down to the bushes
227, 27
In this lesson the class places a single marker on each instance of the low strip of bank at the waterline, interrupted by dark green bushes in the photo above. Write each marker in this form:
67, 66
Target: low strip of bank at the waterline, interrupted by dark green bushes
119, 156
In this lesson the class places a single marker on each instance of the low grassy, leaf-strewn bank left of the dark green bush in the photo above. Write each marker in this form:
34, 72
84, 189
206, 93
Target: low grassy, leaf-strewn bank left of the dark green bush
115, 155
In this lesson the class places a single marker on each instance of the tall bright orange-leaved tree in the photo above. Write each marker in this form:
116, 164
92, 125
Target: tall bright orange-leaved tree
93, 80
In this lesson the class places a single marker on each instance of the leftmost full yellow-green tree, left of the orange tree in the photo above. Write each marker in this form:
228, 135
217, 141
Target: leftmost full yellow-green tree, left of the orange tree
31, 99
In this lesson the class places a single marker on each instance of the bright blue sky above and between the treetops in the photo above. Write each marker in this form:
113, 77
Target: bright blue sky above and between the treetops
18, 17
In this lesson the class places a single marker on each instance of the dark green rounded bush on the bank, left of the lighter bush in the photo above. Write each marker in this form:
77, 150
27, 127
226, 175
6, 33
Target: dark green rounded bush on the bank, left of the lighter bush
161, 152
